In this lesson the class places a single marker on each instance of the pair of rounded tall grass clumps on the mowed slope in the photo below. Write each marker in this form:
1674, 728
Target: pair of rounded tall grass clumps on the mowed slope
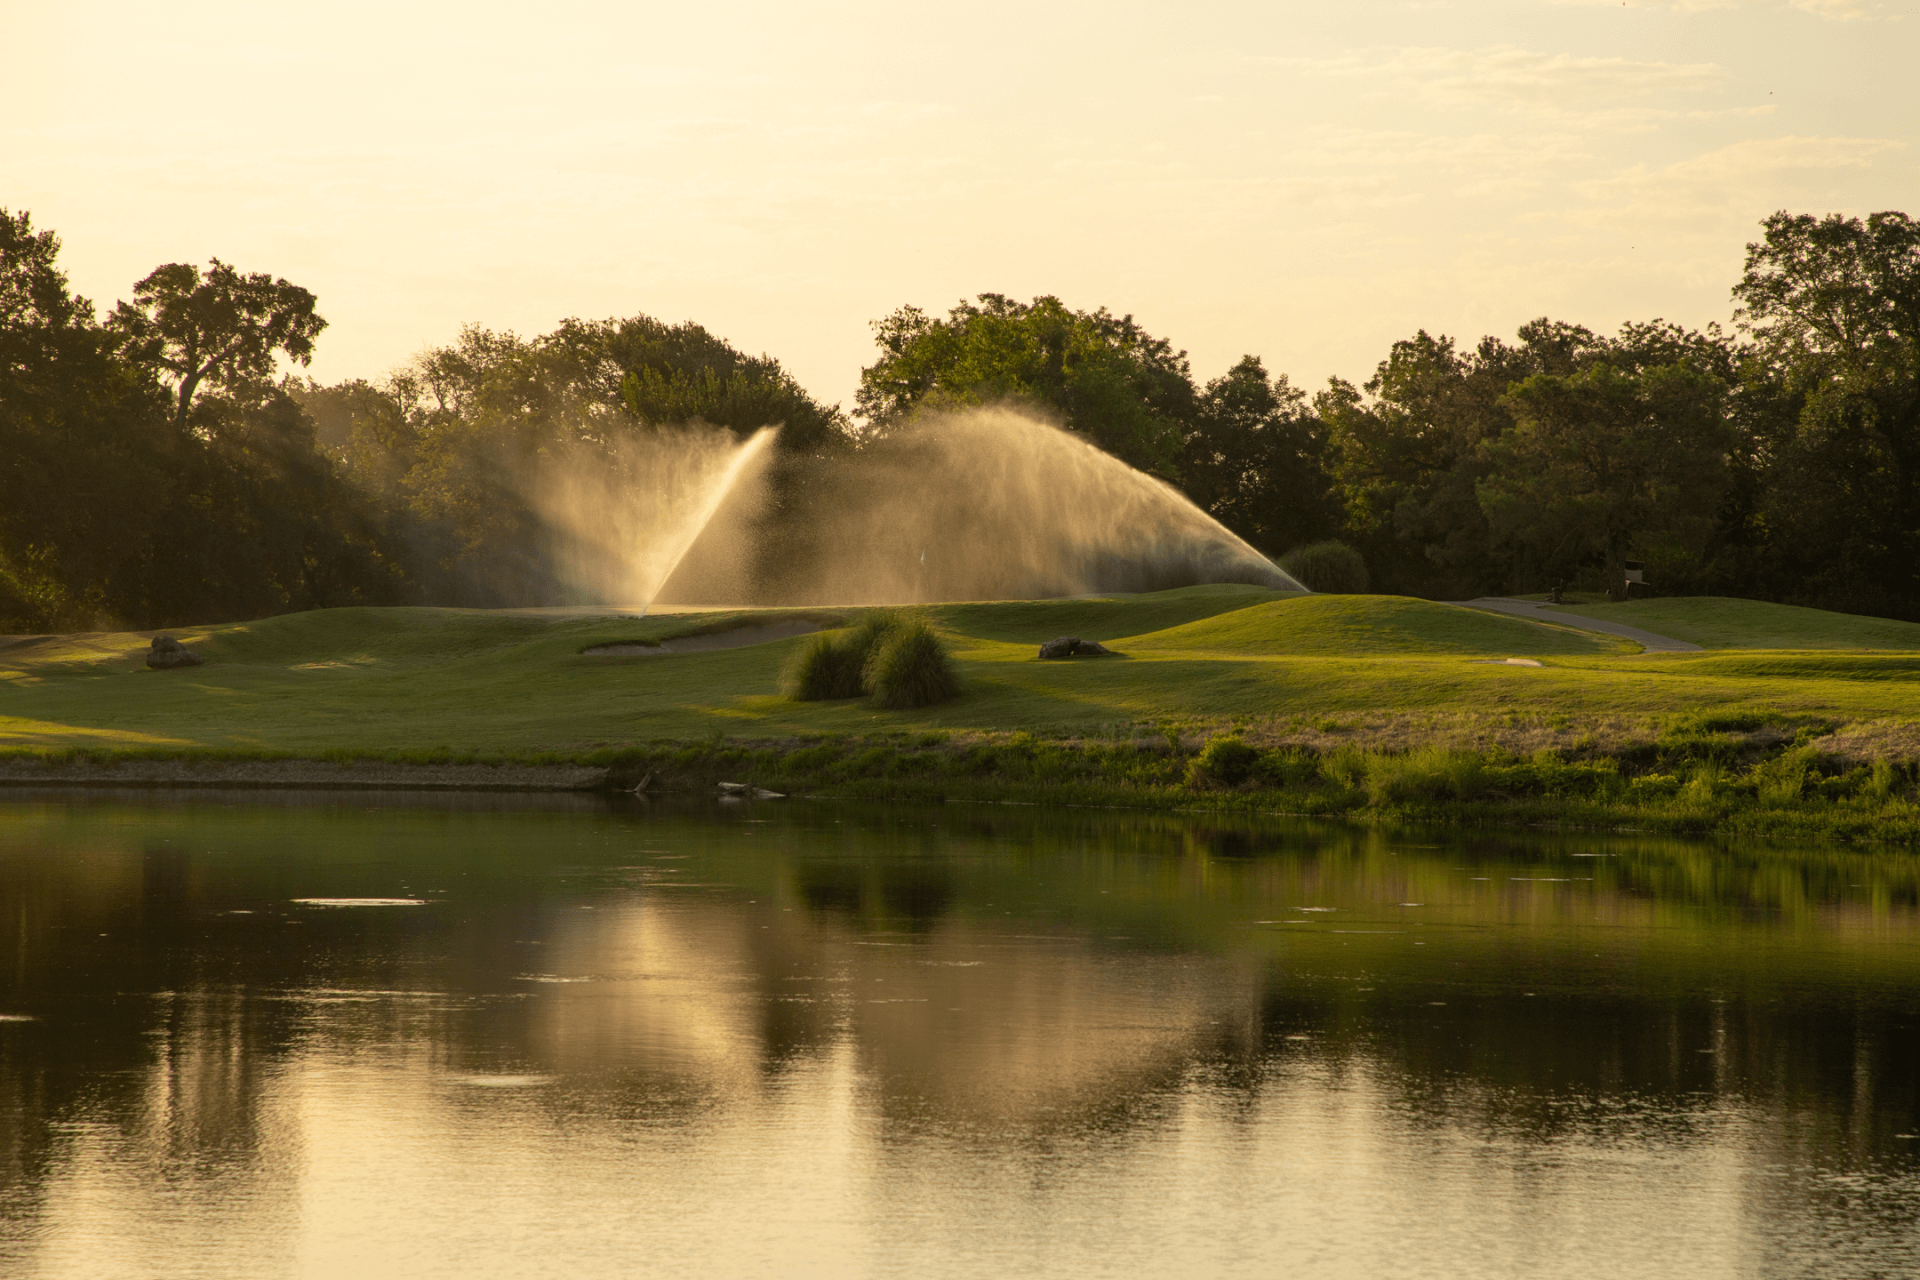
894, 657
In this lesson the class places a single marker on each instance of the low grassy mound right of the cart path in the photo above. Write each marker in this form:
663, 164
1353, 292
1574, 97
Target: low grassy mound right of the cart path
1719, 623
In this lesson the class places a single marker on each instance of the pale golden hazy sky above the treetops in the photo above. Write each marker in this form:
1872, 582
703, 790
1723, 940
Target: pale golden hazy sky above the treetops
1299, 181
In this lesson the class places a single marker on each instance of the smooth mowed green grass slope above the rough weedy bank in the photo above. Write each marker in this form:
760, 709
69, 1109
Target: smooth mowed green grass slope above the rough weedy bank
396, 680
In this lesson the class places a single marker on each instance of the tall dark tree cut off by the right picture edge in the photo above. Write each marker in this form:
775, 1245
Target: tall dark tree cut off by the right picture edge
1833, 306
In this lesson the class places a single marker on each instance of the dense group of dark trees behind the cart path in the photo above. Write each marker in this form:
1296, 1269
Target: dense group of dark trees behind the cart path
1524, 467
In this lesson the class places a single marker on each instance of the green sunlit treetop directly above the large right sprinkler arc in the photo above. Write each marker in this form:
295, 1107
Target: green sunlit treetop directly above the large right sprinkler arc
1101, 375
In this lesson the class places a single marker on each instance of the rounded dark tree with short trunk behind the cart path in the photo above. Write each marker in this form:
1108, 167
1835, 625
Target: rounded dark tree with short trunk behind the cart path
1602, 463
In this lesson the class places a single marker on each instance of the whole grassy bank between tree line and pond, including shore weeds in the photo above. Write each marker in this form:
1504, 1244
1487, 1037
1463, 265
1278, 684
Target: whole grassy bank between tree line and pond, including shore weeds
1788, 723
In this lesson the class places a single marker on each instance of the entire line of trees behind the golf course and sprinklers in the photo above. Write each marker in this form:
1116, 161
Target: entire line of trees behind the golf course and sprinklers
158, 465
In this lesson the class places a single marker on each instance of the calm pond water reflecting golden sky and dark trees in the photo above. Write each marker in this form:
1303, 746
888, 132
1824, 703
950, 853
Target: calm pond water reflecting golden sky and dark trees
976, 1041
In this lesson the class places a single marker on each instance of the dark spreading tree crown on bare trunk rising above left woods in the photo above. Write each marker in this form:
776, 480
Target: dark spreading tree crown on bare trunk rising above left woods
222, 329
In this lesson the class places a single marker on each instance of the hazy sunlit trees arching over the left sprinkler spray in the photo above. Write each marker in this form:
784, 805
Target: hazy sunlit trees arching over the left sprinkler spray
452, 439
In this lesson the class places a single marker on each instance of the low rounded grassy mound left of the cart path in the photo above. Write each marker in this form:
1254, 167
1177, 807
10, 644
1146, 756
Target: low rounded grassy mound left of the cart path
1374, 627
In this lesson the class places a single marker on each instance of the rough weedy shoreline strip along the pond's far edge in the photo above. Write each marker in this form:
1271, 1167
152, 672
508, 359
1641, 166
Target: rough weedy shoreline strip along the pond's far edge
1700, 784
